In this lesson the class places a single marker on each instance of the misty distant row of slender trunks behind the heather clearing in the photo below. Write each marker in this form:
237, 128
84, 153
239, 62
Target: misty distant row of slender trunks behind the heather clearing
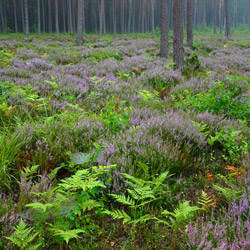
113, 16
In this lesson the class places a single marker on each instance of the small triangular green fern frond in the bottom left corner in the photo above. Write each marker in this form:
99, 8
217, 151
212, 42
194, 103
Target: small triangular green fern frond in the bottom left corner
22, 237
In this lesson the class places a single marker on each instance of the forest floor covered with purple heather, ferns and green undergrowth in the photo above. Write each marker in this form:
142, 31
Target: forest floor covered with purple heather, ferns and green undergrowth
171, 147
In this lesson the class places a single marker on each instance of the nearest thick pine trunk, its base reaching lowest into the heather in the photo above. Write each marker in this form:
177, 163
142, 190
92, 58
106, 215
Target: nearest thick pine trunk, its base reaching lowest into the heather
178, 33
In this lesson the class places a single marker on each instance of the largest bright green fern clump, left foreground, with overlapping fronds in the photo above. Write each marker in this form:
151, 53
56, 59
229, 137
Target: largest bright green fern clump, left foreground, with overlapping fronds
64, 207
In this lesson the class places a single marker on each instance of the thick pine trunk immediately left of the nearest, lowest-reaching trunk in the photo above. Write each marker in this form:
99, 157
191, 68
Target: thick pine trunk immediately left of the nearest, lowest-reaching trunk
164, 5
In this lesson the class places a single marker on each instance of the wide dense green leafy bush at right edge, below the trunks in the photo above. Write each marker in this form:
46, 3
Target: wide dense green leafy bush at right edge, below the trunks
229, 98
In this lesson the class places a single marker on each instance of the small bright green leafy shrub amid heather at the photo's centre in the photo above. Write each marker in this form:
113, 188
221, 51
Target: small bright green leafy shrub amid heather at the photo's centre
115, 116
